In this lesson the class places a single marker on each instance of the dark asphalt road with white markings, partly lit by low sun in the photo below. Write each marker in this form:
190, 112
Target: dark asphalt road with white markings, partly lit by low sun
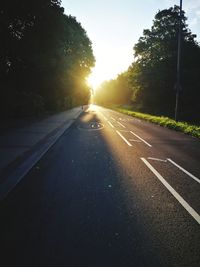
113, 191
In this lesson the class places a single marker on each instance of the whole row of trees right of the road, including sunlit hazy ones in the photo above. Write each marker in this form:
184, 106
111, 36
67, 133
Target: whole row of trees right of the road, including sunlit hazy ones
152, 76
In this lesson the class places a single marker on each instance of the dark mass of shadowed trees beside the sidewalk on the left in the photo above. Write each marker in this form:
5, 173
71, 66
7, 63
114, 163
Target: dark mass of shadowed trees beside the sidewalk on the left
45, 57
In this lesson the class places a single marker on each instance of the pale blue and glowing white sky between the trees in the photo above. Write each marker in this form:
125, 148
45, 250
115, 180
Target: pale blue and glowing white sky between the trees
114, 26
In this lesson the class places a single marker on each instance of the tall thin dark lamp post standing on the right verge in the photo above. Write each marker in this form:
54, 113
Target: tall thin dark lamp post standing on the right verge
178, 83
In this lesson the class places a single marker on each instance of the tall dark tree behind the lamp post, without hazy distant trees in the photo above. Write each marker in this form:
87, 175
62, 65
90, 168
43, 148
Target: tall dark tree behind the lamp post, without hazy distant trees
153, 73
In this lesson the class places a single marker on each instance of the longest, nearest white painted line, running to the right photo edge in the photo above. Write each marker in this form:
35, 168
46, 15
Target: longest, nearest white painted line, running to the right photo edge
189, 209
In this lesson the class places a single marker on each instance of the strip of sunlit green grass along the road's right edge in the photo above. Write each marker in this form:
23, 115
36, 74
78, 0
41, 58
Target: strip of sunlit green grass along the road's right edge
184, 127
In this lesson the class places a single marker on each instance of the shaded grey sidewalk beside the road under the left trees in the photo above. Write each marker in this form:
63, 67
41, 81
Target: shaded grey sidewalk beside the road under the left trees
17, 142
